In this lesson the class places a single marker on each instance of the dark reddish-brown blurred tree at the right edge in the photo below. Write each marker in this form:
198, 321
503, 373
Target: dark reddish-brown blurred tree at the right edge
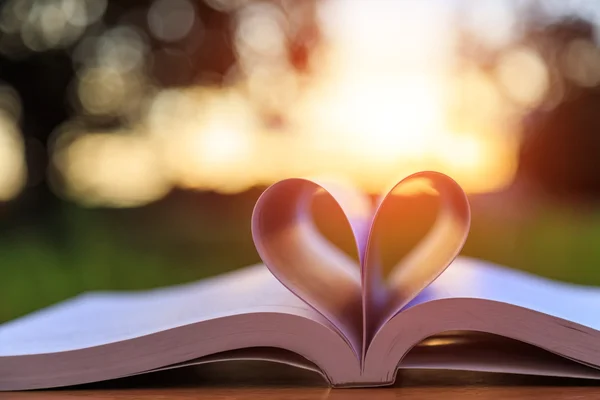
560, 147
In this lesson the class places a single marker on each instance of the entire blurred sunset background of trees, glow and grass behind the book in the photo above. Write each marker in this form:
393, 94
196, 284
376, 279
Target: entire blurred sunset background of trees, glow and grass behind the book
136, 136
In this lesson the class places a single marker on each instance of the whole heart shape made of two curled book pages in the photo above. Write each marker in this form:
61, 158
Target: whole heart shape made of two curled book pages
353, 296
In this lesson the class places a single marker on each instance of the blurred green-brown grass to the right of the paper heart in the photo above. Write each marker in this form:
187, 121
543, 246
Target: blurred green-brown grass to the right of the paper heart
558, 241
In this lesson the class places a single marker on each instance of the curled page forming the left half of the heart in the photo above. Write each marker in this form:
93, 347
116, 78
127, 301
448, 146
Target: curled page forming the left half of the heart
305, 261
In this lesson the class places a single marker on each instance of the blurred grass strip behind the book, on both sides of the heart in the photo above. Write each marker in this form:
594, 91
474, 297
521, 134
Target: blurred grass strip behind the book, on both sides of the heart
110, 250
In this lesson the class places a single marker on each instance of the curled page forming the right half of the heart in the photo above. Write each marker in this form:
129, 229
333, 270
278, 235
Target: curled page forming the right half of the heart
382, 299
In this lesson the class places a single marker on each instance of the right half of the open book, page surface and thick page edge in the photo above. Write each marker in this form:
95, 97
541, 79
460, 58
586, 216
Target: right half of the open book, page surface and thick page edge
478, 296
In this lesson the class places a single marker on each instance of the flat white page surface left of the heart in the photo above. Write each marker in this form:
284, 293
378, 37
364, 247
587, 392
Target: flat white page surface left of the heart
104, 317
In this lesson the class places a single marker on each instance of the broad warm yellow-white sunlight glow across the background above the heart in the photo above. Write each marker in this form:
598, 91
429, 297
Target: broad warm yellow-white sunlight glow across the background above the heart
376, 100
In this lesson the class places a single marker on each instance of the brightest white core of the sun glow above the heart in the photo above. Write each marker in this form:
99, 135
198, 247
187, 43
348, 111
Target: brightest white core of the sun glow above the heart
379, 120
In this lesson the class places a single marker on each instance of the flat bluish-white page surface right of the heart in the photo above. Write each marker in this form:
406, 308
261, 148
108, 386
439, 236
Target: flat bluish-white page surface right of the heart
471, 278
